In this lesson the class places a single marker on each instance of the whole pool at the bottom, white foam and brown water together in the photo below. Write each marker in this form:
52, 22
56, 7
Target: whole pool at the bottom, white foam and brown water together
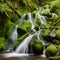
14, 56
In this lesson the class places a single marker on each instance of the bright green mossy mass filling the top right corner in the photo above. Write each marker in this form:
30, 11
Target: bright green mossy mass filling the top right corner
56, 7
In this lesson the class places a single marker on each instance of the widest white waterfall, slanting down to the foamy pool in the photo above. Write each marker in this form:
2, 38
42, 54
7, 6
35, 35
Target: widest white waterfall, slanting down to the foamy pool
23, 46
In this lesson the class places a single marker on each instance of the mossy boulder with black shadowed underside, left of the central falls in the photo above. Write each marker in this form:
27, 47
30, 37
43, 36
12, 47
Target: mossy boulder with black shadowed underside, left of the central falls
24, 27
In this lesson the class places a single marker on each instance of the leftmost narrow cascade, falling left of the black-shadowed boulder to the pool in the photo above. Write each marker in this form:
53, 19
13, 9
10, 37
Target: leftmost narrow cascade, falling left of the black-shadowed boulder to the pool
13, 37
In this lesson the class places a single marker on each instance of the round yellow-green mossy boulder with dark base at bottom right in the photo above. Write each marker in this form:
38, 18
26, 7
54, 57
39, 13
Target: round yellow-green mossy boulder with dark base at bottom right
51, 51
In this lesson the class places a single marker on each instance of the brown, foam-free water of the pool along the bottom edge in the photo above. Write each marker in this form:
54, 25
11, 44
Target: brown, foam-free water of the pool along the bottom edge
24, 58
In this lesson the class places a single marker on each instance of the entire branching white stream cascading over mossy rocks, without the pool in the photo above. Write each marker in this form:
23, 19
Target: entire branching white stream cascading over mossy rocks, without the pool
23, 47
